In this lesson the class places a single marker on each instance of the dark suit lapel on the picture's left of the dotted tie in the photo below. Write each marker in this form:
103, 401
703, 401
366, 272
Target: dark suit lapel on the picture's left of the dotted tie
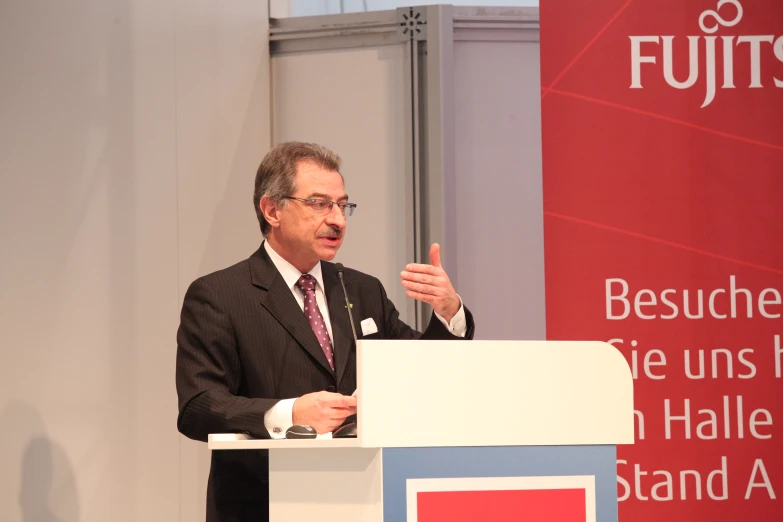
280, 302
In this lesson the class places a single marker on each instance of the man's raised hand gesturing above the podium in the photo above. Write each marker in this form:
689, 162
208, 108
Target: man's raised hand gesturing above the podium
430, 284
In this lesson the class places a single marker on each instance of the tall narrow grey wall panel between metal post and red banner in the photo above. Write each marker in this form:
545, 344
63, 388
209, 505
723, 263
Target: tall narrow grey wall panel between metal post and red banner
498, 187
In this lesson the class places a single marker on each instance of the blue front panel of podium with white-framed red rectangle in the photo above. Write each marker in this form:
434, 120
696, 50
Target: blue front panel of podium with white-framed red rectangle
546, 483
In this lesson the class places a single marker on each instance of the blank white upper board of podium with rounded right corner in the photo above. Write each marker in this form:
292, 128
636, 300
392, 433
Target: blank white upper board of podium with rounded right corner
493, 393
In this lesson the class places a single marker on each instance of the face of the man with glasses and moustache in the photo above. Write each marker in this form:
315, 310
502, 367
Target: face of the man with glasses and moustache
306, 235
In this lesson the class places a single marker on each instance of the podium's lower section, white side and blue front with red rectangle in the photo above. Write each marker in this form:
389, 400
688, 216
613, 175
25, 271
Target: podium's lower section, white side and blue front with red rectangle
541, 483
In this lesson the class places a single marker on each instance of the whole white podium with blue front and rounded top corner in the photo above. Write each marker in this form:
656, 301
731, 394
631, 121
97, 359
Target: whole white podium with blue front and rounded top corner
464, 430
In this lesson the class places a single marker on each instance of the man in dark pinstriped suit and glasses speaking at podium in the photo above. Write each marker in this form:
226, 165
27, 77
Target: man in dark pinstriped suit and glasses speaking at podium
267, 343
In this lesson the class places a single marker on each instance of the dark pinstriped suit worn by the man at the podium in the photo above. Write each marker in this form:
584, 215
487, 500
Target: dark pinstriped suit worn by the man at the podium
244, 344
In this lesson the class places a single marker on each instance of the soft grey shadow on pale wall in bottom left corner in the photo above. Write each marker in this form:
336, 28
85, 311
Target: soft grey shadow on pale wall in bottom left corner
47, 489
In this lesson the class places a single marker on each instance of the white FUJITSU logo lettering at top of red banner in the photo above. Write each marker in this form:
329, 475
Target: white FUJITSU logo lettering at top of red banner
744, 47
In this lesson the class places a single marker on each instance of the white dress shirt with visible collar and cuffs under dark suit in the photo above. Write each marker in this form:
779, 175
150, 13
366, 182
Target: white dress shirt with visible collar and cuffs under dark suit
280, 417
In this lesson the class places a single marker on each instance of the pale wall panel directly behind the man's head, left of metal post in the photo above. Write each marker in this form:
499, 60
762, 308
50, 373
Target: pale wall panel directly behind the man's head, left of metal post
353, 101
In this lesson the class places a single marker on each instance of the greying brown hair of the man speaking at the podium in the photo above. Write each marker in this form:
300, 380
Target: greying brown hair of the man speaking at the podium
276, 176
